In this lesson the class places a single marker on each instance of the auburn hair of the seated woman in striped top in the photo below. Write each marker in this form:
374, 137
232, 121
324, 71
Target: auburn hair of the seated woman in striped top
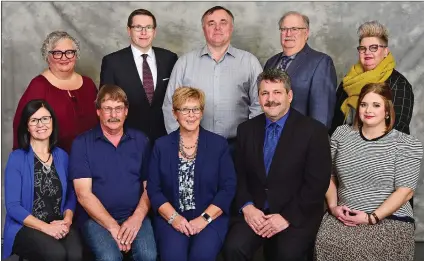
382, 89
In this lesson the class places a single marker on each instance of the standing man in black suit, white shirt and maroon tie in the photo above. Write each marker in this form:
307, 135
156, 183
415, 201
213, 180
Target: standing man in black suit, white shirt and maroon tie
142, 71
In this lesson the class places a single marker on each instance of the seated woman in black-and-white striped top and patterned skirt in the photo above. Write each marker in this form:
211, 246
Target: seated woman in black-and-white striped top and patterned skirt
375, 173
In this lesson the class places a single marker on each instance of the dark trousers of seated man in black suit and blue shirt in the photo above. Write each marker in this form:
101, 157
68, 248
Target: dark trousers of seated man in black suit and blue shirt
291, 244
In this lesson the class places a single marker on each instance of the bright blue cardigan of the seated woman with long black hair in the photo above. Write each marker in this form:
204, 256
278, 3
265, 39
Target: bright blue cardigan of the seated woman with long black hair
19, 191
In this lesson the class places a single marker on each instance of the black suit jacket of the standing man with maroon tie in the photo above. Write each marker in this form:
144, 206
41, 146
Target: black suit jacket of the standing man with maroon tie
119, 68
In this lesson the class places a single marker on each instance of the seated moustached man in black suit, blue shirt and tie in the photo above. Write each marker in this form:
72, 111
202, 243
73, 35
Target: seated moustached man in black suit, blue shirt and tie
283, 166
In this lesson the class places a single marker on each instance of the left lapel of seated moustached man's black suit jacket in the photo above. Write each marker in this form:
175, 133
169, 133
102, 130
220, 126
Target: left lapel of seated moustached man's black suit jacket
258, 141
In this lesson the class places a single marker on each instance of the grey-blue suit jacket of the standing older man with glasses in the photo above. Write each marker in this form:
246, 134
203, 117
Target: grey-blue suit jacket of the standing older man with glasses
314, 82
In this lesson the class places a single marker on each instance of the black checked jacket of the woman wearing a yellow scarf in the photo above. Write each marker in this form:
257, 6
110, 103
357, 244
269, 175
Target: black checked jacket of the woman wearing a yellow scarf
403, 102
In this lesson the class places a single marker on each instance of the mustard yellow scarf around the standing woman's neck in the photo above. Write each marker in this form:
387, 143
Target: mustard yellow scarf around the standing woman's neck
357, 78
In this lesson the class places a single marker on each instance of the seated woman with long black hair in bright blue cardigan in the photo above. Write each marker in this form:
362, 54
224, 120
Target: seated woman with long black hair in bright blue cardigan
39, 200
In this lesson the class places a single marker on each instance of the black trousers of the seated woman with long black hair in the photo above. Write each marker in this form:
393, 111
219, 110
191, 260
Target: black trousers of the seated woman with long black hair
35, 245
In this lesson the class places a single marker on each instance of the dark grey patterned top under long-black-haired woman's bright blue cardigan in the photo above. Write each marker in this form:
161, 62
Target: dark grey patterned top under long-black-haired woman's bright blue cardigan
47, 193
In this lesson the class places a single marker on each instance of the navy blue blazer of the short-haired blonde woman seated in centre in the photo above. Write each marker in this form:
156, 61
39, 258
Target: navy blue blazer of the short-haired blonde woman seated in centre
214, 177
